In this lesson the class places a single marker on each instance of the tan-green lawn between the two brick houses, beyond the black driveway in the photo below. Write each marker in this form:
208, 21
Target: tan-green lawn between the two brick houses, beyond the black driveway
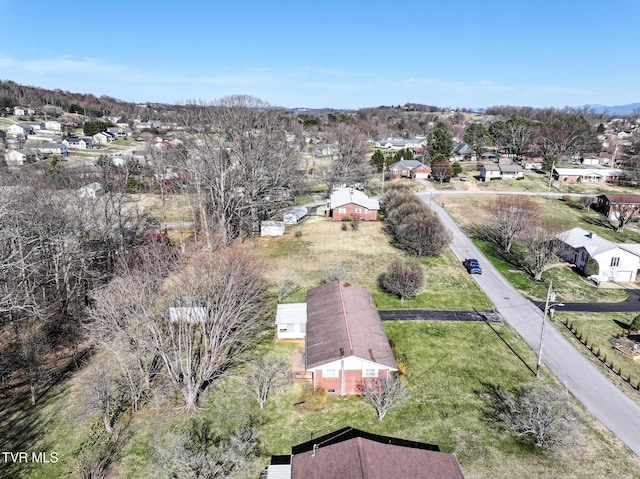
318, 244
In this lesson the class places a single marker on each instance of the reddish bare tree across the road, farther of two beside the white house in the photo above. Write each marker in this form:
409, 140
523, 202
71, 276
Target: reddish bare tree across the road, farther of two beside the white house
510, 216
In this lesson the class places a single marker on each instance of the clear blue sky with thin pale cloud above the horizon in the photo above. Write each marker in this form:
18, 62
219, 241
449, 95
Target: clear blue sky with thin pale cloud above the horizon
338, 54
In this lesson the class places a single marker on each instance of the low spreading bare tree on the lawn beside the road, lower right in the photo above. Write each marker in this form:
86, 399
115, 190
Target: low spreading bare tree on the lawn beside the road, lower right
538, 414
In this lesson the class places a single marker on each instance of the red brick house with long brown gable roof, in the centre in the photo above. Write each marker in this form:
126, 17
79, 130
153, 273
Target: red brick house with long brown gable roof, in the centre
345, 338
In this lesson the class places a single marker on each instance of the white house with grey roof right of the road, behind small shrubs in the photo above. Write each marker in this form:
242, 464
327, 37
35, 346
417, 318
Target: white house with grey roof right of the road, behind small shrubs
618, 262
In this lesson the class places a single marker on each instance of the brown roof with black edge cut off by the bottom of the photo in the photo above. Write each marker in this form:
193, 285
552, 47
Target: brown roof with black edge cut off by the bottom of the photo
352, 454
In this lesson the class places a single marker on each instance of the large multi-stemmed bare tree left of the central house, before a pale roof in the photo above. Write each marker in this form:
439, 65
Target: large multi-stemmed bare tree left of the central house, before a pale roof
222, 325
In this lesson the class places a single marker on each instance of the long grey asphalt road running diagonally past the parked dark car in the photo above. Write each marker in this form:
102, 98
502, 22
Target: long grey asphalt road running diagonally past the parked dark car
612, 407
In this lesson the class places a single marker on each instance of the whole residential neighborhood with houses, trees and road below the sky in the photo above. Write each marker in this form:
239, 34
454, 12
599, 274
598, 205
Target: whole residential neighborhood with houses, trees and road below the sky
236, 290
